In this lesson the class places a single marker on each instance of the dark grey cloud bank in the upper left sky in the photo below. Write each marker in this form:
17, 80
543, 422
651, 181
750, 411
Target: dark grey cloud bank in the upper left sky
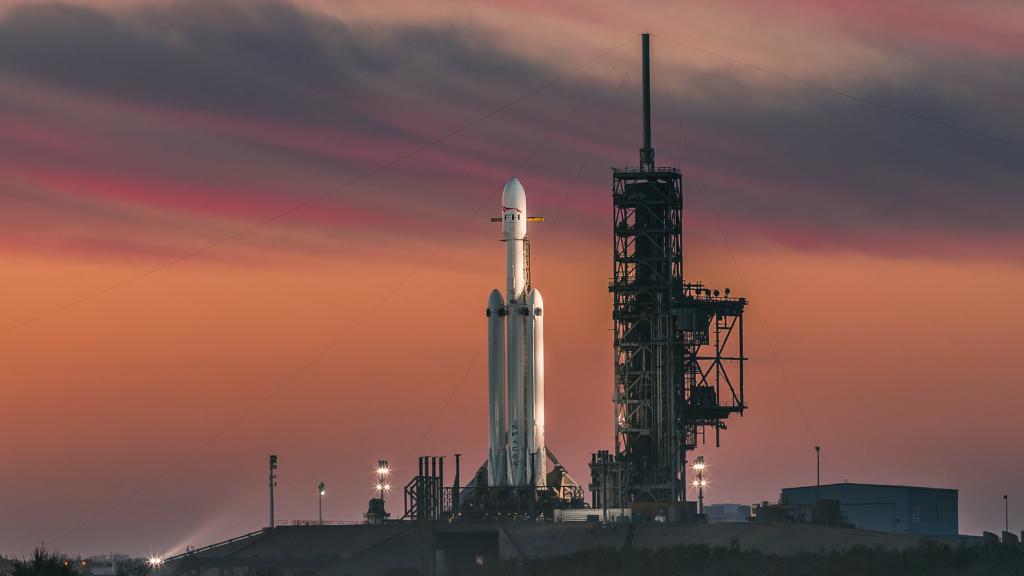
262, 59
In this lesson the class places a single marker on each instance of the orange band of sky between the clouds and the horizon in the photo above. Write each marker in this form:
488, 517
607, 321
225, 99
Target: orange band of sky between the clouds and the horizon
144, 414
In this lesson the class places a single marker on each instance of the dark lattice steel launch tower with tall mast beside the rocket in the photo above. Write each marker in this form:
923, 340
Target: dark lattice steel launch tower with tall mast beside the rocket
678, 364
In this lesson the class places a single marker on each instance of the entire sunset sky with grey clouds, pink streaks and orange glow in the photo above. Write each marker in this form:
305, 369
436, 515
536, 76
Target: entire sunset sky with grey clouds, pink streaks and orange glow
231, 229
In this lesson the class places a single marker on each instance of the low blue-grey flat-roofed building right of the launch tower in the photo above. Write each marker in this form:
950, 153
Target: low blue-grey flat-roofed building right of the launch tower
909, 510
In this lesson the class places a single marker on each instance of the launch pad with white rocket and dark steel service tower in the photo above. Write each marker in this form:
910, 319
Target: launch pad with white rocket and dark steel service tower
678, 368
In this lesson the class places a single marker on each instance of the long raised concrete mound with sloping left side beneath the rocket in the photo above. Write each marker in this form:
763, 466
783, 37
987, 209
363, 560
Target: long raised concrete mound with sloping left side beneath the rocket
444, 550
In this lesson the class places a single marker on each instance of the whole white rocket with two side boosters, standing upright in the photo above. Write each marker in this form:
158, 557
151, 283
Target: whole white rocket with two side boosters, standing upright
516, 358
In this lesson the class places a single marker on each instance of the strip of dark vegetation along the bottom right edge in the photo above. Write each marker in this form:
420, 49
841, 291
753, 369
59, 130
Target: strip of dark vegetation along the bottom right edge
928, 559
